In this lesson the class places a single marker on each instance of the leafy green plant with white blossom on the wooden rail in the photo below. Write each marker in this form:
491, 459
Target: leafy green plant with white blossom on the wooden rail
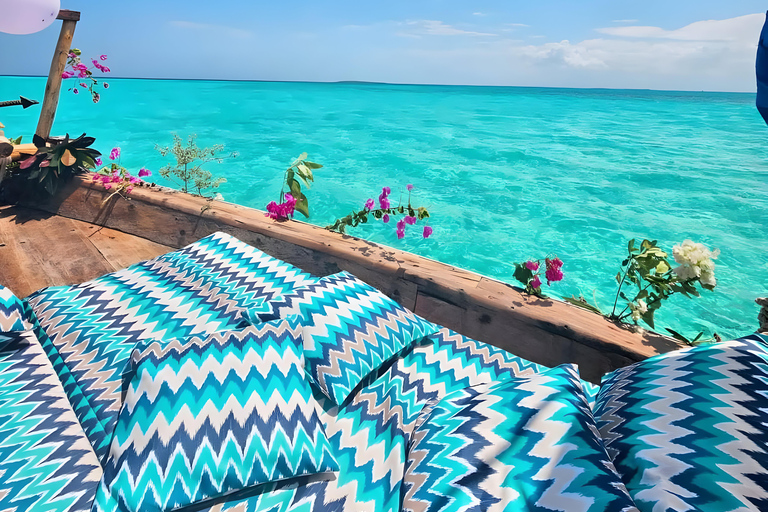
653, 280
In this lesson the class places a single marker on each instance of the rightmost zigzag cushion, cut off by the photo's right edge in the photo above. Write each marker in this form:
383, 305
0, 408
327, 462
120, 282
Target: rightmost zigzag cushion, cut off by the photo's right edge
688, 430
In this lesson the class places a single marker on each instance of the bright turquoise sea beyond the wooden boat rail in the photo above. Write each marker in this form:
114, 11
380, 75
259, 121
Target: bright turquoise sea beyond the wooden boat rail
508, 174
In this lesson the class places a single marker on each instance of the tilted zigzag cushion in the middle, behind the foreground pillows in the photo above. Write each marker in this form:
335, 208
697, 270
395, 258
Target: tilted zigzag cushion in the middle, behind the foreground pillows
350, 329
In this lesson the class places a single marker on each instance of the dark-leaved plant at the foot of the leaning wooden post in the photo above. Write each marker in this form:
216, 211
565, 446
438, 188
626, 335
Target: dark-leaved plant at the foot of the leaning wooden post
57, 160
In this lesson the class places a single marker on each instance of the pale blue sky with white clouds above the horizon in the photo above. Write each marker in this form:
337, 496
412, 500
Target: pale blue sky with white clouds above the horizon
671, 44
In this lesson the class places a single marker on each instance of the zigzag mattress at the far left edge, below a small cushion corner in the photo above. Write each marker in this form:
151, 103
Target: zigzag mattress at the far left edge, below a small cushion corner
46, 462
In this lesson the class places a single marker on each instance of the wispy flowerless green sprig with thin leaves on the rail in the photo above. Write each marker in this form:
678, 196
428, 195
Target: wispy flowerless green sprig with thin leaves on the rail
188, 173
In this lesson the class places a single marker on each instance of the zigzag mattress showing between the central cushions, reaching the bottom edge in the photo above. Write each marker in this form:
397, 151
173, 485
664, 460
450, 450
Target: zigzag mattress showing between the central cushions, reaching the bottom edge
369, 434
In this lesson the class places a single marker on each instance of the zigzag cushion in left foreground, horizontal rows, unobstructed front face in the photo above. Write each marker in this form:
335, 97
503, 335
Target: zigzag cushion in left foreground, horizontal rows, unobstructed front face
207, 417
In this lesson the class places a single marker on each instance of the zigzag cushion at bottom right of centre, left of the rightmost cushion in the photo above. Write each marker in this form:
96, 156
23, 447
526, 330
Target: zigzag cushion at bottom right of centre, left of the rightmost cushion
526, 443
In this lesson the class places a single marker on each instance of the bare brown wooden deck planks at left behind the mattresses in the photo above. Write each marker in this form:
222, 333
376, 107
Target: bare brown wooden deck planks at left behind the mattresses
39, 249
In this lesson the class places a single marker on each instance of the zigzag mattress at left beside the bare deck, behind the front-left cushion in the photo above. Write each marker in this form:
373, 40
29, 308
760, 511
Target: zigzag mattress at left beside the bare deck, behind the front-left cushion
88, 330
